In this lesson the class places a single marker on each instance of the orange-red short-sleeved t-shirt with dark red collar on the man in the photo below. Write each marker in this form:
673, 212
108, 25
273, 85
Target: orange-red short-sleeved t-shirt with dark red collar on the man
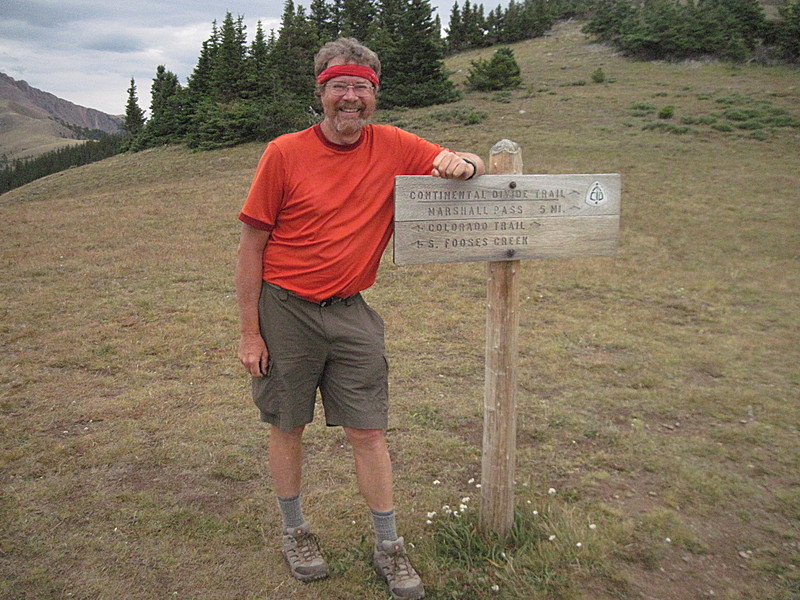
330, 207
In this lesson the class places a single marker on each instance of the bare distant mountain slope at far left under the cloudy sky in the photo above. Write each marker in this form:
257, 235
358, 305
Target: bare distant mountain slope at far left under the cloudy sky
33, 122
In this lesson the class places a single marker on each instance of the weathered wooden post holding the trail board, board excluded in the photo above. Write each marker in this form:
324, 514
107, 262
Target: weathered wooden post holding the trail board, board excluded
499, 402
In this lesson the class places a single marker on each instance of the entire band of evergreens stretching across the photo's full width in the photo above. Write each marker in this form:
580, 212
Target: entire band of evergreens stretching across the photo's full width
254, 90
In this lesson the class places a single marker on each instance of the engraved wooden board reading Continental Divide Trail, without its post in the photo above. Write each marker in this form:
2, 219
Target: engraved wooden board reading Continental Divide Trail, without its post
505, 217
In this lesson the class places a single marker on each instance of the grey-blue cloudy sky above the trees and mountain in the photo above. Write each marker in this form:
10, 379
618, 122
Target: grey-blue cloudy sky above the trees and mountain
86, 51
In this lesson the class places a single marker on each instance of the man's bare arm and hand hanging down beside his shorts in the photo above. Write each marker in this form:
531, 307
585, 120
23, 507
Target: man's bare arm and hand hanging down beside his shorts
253, 352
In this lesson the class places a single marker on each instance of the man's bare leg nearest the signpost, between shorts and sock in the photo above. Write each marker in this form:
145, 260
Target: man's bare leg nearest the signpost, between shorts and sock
373, 467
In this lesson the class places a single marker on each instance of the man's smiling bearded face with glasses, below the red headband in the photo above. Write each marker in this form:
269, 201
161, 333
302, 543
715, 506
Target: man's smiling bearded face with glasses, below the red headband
346, 115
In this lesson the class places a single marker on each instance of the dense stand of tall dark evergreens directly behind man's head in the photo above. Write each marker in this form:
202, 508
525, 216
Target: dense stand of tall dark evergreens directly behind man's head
244, 91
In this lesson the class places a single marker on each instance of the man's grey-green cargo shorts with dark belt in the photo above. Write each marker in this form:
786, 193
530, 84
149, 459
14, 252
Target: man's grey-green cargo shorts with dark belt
336, 347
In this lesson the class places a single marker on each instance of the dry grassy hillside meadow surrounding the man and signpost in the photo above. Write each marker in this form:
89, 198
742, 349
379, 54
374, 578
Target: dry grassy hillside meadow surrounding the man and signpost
659, 423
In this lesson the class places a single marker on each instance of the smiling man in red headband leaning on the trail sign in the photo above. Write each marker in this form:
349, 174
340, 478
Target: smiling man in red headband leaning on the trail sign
315, 224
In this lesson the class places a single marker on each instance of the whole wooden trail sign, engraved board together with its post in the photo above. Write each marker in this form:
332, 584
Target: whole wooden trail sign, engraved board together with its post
501, 218
